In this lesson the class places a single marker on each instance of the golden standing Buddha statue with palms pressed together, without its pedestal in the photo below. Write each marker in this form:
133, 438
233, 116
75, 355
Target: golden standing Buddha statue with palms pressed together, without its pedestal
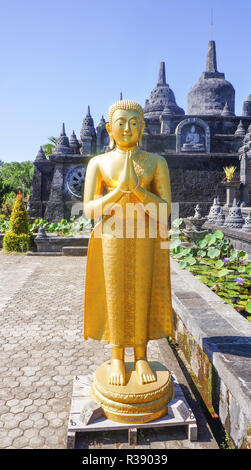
127, 287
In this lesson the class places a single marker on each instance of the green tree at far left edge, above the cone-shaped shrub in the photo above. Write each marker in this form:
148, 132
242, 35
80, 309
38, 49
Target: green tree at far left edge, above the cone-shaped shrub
17, 175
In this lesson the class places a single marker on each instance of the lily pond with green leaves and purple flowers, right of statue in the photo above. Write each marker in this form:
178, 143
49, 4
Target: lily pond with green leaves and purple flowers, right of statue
214, 262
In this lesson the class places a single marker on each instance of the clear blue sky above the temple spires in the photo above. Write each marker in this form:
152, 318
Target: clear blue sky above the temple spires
59, 56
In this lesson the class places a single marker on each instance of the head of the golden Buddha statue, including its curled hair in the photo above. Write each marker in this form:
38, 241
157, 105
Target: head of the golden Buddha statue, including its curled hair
125, 124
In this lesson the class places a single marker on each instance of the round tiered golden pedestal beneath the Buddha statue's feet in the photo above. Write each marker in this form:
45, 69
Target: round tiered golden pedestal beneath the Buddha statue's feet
133, 402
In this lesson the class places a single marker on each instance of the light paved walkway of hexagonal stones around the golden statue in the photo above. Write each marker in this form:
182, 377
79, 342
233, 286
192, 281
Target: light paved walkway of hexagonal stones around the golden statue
42, 348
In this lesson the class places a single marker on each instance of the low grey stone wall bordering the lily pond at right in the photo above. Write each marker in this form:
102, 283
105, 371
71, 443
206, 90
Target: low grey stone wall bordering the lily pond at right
216, 343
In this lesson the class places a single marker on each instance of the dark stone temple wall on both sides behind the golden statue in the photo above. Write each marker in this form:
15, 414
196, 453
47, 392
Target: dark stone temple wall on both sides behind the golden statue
196, 177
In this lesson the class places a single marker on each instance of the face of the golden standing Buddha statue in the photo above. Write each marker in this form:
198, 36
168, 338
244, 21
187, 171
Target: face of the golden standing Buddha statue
127, 127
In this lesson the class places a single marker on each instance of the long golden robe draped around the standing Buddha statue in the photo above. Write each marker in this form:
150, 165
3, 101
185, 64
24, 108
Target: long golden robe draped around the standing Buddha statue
127, 286
